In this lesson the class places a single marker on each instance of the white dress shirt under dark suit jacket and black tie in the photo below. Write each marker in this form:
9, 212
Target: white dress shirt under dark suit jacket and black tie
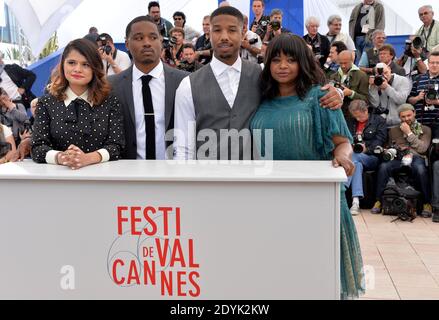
158, 89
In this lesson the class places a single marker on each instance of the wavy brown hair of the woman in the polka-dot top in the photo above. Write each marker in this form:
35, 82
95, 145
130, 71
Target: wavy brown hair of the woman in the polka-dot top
99, 87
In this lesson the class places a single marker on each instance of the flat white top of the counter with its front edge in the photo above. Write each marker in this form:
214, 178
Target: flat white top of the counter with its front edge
169, 171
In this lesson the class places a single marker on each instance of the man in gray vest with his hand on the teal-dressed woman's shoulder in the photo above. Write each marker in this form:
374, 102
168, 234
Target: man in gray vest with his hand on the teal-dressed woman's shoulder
214, 105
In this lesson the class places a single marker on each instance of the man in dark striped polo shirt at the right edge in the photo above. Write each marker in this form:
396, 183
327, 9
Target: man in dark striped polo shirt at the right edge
425, 96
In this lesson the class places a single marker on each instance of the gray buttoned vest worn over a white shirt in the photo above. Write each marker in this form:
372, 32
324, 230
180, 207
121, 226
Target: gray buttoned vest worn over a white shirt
228, 135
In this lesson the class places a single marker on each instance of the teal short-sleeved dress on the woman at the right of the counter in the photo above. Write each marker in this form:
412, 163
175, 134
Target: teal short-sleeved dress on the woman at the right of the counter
302, 130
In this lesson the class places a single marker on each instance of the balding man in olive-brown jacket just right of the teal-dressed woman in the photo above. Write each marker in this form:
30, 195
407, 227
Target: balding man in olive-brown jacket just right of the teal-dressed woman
353, 81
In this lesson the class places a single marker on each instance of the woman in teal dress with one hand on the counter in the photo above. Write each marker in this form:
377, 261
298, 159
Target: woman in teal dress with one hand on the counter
303, 130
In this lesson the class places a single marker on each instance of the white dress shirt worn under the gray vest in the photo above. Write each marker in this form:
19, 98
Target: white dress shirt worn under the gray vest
228, 78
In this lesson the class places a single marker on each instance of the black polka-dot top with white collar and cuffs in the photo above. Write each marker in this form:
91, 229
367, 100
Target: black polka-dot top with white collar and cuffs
90, 128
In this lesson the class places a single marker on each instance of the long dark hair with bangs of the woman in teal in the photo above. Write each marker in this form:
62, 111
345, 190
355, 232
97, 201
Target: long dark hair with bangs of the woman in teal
310, 72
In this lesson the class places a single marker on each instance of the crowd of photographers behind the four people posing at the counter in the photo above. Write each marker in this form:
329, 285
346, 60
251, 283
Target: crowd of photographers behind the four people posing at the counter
390, 103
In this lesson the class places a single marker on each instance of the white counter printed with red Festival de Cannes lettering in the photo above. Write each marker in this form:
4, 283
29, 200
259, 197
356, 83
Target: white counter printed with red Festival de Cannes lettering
233, 231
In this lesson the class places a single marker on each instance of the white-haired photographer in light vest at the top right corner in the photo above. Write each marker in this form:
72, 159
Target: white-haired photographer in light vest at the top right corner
429, 32
